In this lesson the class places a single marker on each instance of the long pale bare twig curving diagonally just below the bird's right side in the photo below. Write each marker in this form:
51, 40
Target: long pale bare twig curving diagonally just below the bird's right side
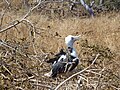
77, 73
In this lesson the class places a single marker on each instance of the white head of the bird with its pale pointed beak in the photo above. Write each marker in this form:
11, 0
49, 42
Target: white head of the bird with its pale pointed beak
70, 39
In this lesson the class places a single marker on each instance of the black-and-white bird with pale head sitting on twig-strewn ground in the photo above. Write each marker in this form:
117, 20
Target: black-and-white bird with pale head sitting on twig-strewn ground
64, 61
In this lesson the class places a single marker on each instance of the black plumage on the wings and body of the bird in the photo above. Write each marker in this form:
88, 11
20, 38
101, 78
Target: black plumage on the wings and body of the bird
61, 66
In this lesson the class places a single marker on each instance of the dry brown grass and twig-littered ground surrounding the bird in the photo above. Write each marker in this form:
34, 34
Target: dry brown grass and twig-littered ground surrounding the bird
23, 55
